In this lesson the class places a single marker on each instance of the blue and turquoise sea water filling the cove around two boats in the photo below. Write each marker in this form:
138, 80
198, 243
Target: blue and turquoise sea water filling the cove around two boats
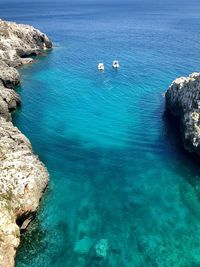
121, 184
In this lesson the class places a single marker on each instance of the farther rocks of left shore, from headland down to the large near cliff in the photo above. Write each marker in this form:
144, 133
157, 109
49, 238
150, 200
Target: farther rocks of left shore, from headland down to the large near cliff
17, 43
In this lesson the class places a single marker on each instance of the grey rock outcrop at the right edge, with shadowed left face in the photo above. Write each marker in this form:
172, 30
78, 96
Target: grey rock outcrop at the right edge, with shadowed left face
183, 101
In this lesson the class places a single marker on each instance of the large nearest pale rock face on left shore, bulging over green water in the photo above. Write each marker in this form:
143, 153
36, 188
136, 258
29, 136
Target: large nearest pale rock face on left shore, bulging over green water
23, 179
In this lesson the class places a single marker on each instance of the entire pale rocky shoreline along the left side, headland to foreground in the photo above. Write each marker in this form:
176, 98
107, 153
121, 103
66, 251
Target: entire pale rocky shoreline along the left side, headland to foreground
23, 178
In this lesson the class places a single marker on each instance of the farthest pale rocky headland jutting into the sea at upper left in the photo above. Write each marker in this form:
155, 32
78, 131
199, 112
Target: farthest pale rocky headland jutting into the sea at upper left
18, 41
